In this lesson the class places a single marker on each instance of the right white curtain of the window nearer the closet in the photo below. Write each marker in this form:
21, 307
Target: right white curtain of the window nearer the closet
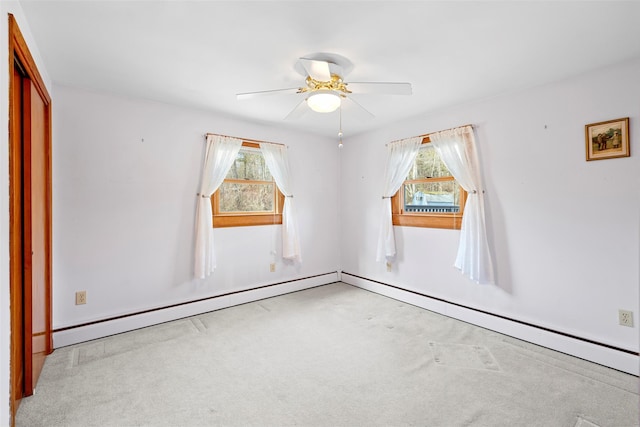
277, 160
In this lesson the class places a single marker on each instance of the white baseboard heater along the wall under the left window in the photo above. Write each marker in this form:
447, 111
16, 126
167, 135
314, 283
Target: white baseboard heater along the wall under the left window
102, 328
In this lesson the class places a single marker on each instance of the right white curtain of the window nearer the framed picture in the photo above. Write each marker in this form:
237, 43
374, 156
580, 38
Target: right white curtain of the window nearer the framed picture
457, 149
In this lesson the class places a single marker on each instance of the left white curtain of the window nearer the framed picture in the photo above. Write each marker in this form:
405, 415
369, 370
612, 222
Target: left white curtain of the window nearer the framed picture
400, 158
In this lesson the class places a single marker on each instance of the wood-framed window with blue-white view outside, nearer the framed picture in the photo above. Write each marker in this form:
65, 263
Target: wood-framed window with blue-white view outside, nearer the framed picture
430, 196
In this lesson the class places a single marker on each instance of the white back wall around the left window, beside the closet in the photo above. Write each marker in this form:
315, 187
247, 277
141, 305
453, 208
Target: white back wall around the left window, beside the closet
125, 177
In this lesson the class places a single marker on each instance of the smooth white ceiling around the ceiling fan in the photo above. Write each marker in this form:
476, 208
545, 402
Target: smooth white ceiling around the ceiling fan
201, 53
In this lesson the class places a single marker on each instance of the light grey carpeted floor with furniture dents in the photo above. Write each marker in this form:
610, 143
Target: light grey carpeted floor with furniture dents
334, 355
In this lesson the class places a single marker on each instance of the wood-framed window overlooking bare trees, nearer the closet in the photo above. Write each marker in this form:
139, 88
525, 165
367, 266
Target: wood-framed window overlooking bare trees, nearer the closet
248, 195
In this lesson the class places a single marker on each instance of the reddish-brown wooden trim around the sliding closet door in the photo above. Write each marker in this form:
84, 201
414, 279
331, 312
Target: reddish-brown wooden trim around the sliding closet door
19, 53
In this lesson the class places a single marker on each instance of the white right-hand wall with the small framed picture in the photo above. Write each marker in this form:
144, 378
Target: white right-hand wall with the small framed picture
564, 232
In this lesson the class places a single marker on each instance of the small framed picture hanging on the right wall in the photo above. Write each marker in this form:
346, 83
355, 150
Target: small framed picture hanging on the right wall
606, 140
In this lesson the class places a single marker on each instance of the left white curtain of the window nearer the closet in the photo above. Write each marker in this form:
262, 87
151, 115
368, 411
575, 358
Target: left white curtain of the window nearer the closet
220, 154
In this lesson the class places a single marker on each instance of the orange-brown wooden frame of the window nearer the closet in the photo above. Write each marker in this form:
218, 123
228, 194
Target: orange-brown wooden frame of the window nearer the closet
245, 219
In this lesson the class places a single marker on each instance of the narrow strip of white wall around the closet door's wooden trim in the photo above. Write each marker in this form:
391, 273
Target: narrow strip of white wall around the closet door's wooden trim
14, 8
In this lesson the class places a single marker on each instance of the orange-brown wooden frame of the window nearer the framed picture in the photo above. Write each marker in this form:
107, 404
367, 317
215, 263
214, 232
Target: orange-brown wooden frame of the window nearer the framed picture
452, 221
